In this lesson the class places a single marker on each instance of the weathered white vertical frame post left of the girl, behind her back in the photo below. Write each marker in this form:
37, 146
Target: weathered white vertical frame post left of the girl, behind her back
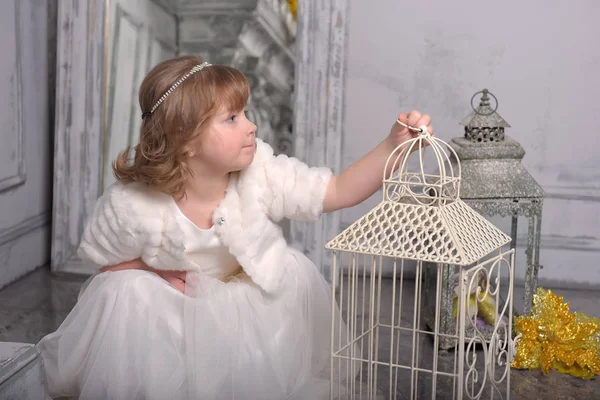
79, 125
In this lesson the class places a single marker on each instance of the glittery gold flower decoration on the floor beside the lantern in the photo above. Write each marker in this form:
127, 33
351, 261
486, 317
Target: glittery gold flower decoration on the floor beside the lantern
554, 337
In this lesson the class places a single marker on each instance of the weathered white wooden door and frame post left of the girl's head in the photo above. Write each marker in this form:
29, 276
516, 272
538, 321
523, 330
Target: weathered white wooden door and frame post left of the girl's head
106, 48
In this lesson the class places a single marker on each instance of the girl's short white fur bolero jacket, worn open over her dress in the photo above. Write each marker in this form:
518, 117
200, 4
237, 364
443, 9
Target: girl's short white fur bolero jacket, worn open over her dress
133, 220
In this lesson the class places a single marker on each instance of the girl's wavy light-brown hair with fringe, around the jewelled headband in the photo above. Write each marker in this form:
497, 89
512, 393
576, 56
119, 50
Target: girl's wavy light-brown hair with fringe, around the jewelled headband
167, 133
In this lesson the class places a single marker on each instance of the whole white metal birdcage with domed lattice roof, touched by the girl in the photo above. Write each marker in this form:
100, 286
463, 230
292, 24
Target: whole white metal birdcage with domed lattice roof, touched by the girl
380, 342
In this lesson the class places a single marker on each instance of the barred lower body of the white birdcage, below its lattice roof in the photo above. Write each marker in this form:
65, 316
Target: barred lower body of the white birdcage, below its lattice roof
399, 346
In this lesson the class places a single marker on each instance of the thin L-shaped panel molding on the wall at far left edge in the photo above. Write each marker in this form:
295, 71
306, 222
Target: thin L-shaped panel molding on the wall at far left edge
18, 179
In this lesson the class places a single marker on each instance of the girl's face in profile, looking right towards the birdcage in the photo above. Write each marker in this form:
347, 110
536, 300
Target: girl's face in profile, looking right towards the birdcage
228, 145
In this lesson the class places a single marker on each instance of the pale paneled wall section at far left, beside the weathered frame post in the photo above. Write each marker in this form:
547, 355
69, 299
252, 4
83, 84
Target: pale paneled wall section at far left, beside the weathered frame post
25, 137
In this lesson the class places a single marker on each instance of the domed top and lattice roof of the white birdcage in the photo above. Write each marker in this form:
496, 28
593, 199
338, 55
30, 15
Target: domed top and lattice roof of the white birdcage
421, 216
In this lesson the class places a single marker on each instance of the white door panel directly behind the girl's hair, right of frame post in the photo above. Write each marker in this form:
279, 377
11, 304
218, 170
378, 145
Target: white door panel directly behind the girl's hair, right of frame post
140, 35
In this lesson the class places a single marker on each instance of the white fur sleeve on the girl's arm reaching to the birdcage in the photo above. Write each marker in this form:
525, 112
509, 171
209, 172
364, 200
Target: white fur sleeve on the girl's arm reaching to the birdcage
296, 191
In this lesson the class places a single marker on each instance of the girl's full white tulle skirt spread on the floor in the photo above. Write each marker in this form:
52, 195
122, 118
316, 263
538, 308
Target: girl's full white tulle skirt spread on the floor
133, 336
